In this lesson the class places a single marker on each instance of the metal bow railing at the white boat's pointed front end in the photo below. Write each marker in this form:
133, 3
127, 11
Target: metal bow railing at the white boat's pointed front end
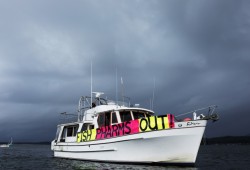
205, 113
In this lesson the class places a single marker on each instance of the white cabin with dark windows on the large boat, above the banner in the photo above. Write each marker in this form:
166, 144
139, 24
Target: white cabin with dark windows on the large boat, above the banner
68, 132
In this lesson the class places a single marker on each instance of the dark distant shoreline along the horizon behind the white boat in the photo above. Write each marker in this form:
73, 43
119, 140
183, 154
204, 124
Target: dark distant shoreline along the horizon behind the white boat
207, 141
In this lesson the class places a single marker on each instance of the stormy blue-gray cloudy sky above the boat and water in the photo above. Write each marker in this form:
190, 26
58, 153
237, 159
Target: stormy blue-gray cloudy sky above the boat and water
197, 51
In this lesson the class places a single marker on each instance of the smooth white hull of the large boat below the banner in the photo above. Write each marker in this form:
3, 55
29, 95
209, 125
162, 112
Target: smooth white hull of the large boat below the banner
177, 145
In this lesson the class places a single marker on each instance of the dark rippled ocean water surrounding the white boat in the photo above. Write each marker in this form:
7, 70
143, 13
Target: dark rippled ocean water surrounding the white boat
40, 157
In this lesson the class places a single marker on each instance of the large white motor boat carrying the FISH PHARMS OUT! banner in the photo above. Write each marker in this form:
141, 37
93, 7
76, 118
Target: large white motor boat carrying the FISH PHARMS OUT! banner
111, 131
